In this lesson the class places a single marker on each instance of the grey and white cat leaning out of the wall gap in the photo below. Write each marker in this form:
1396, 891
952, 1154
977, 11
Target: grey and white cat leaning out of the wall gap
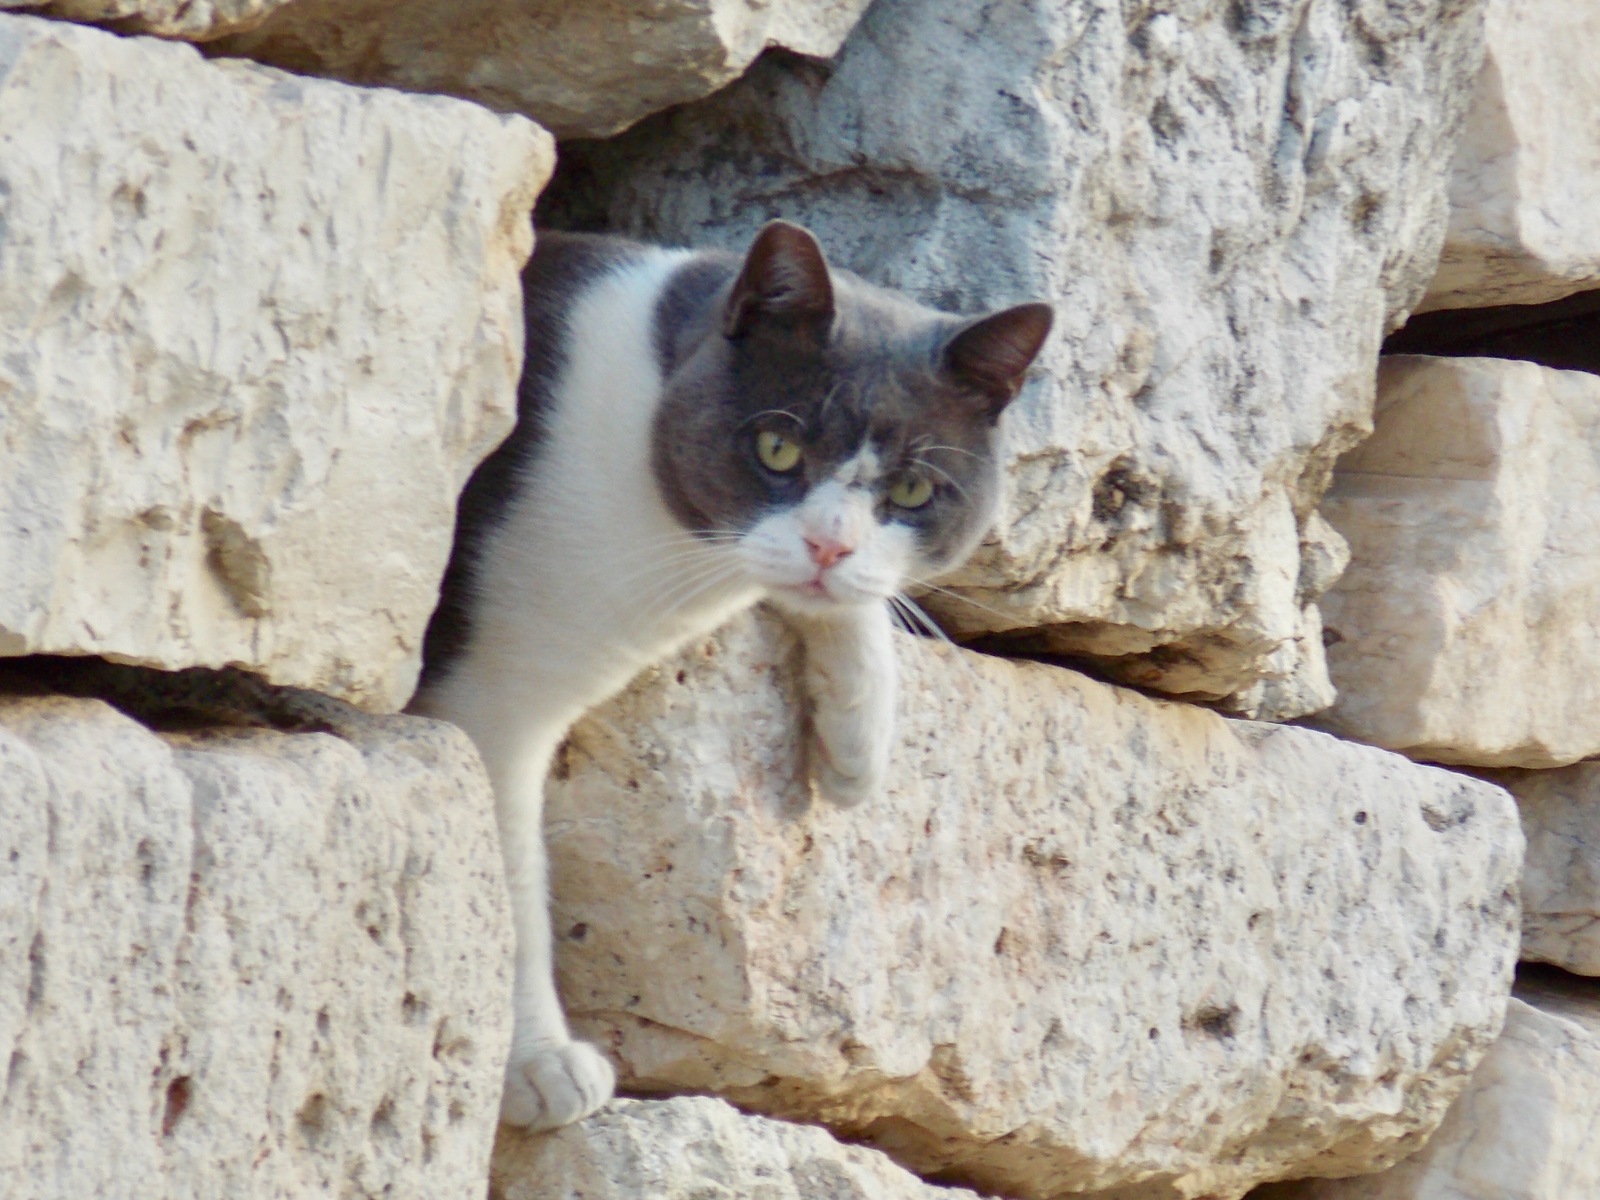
700, 433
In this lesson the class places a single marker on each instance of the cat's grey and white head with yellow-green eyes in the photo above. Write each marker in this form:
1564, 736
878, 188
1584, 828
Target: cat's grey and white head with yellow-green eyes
841, 441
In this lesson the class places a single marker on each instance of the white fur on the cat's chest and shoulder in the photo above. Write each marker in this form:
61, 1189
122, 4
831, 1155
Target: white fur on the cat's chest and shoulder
590, 578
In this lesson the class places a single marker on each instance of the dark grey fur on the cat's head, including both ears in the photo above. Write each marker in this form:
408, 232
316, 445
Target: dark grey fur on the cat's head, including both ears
876, 388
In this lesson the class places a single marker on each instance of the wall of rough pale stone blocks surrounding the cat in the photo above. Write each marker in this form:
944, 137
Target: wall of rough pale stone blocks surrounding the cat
1114, 929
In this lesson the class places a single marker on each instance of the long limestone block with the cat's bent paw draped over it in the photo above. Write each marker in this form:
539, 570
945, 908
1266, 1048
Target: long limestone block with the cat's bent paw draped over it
1086, 942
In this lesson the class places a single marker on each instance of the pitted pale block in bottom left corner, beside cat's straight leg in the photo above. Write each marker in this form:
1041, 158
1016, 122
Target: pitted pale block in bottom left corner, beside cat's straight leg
244, 962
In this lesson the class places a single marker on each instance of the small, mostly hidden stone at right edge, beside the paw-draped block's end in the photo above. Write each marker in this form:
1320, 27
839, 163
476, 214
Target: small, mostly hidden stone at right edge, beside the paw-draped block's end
1561, 879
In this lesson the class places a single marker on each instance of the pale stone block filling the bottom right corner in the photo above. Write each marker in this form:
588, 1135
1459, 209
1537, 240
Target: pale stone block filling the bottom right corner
1529, 1129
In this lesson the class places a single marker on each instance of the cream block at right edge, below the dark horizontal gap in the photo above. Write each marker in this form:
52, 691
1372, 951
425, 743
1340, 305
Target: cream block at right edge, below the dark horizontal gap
1465, 628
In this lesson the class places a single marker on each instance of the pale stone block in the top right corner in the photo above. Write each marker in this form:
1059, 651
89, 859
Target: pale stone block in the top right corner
1527, 177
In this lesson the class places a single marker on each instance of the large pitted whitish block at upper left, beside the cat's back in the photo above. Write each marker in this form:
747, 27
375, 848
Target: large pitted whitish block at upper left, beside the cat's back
255, 334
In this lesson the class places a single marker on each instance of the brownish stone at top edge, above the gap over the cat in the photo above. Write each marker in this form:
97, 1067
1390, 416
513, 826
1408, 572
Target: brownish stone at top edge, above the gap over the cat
580, 70
